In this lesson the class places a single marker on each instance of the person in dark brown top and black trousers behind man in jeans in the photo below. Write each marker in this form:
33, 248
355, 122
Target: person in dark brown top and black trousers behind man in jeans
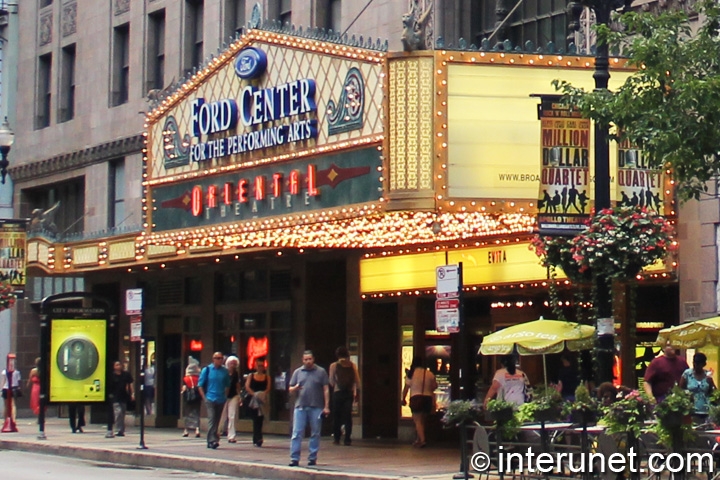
345, 381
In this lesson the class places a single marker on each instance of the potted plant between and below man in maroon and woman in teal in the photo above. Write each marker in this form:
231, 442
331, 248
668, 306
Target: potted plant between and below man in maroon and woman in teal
674, 422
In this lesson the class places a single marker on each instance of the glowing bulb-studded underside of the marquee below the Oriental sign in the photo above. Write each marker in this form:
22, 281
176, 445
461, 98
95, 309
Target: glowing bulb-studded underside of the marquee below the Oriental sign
361, 227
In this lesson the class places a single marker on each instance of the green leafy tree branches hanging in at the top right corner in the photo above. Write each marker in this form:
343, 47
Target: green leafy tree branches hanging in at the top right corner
670, 106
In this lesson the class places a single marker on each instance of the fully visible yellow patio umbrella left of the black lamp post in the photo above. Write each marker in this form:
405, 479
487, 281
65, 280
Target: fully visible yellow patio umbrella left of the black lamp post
539, 337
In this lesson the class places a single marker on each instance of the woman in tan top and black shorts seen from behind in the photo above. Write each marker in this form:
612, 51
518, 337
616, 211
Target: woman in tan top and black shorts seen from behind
421, 384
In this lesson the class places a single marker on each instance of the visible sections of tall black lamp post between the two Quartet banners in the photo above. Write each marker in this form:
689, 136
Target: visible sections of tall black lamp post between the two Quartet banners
605, 345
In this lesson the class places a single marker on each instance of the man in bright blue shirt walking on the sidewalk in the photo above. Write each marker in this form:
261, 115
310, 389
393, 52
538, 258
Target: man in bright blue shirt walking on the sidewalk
213, 386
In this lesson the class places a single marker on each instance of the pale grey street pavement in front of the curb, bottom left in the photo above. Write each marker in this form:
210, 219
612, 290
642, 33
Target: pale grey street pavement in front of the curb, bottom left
32, 466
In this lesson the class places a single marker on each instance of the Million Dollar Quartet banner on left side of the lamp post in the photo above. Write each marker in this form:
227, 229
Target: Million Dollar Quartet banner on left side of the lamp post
564, 196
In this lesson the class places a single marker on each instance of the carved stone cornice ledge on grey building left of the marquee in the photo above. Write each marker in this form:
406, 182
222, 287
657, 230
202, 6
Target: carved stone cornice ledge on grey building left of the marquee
77, 159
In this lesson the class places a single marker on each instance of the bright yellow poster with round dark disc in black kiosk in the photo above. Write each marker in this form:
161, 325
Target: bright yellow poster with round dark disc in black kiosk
78, 362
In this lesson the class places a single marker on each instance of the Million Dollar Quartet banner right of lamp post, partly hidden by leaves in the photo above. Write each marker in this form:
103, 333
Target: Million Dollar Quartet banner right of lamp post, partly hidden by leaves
638, 185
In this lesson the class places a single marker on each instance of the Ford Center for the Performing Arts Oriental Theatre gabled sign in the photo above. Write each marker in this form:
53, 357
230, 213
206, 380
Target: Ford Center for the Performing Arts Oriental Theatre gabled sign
277, 125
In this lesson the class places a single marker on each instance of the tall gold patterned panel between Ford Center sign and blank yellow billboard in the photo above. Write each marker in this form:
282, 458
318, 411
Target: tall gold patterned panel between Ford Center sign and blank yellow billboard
411, 124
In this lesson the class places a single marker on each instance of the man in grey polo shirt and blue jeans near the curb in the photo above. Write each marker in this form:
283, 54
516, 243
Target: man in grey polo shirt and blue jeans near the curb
310, 382
